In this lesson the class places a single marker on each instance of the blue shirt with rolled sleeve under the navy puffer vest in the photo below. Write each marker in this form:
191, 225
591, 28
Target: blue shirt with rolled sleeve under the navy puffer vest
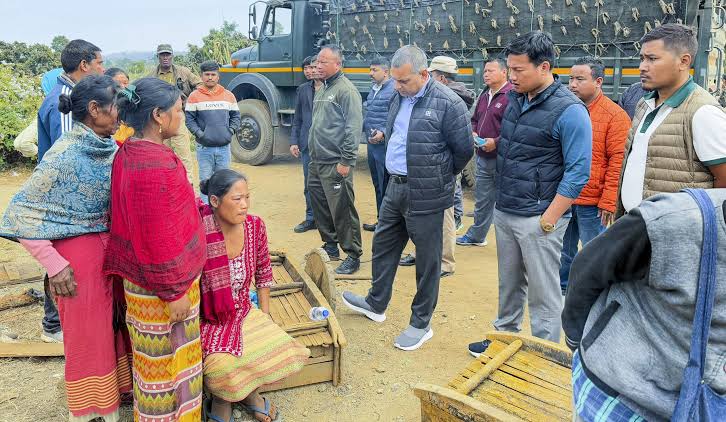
574, 131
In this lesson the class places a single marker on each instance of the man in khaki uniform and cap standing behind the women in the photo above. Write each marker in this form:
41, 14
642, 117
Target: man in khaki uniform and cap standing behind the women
187, 81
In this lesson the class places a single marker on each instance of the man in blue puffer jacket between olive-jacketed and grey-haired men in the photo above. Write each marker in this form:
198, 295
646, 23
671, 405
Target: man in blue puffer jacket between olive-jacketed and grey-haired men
374, 124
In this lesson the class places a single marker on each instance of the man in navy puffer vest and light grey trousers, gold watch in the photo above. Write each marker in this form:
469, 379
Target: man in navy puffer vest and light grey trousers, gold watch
543, 162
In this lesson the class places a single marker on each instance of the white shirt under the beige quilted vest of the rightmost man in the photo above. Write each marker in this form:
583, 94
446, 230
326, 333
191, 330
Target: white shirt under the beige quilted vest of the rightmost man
708, 126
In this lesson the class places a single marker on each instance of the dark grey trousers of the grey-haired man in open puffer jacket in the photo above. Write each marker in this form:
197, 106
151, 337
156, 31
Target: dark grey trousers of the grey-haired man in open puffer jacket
395, 227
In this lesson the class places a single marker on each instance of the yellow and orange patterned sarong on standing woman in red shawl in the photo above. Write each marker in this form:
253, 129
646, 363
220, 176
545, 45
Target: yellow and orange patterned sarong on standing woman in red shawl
167, 359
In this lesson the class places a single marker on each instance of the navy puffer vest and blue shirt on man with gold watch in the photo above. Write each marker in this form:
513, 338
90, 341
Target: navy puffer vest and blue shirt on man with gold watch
544, 149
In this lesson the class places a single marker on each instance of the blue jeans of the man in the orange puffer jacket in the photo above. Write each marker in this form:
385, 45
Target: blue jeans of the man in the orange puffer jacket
585, 225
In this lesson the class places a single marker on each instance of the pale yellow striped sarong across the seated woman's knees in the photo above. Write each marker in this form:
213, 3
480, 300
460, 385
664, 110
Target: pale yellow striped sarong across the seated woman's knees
269, 355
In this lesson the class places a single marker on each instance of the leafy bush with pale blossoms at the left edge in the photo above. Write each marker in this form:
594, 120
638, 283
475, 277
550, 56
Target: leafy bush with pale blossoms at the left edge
20, 98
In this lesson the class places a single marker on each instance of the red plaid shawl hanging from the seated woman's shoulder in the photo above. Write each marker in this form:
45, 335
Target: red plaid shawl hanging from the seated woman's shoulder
217, 303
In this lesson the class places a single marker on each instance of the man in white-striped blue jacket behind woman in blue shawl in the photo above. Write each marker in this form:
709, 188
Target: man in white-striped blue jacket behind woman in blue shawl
79, 59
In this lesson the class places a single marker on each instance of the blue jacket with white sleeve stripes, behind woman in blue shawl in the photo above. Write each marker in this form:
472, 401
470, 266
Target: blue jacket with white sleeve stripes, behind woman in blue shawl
51, 122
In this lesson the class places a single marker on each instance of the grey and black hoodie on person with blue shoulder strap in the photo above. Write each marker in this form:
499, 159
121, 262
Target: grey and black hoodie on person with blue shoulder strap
630, 304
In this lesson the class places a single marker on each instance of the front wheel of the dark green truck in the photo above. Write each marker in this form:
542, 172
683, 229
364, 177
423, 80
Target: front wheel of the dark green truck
253, 143
